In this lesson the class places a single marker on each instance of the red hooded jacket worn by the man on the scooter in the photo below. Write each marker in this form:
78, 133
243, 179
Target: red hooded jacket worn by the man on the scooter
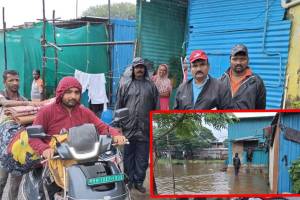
56, 119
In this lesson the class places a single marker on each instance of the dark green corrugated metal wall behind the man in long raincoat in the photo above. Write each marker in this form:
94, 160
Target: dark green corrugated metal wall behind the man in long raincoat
161, 30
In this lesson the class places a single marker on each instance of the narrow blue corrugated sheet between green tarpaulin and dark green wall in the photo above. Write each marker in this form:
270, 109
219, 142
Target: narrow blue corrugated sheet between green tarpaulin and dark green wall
124, 30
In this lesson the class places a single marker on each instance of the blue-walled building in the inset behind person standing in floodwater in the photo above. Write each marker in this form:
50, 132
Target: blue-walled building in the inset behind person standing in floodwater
246, 138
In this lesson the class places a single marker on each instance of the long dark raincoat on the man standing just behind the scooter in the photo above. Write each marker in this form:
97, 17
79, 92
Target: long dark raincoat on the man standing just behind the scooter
140, 97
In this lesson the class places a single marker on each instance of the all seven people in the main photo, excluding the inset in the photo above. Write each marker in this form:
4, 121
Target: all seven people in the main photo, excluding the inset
238, 88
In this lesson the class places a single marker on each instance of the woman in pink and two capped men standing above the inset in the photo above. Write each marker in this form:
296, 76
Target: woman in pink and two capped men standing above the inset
238, 87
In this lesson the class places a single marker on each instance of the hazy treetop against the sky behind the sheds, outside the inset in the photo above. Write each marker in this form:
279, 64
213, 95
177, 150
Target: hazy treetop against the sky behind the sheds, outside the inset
118, 10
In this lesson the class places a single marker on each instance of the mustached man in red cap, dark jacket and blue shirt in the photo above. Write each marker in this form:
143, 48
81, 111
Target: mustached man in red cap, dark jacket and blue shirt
202, 92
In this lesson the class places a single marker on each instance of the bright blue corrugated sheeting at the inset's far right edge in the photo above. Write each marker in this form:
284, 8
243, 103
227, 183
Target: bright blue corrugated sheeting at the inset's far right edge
290, 149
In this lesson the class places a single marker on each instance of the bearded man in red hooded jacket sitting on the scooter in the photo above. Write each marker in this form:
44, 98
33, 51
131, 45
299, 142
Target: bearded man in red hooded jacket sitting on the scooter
66, 113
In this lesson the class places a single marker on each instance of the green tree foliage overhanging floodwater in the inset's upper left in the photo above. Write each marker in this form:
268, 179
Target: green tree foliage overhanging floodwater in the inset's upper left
186, 130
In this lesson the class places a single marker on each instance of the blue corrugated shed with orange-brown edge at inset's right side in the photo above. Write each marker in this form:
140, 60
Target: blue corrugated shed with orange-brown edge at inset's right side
283, 140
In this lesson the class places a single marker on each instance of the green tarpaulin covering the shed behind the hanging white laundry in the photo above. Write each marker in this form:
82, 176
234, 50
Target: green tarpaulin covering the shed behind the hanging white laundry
24, 53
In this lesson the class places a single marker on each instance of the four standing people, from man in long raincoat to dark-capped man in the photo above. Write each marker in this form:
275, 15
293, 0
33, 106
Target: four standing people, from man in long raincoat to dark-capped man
238, 88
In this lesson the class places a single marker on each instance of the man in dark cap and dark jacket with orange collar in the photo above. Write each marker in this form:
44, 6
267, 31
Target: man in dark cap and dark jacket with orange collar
247, 89
